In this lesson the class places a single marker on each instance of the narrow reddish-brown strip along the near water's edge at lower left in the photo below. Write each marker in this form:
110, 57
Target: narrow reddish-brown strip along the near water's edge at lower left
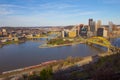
26, 69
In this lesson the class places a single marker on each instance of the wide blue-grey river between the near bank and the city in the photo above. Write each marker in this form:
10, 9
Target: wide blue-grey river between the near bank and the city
16, 56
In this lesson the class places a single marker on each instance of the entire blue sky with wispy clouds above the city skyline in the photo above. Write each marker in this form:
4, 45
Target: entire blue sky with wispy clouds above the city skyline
57, 12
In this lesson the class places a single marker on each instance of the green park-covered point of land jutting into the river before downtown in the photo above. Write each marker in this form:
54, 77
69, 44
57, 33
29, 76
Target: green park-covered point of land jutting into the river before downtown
59, 42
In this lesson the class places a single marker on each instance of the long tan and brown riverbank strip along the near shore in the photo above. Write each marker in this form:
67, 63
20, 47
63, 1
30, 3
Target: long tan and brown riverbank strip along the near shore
39, 67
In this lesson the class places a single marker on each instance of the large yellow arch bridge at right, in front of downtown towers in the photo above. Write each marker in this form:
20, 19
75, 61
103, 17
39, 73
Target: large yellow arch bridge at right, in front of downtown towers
102, 42
